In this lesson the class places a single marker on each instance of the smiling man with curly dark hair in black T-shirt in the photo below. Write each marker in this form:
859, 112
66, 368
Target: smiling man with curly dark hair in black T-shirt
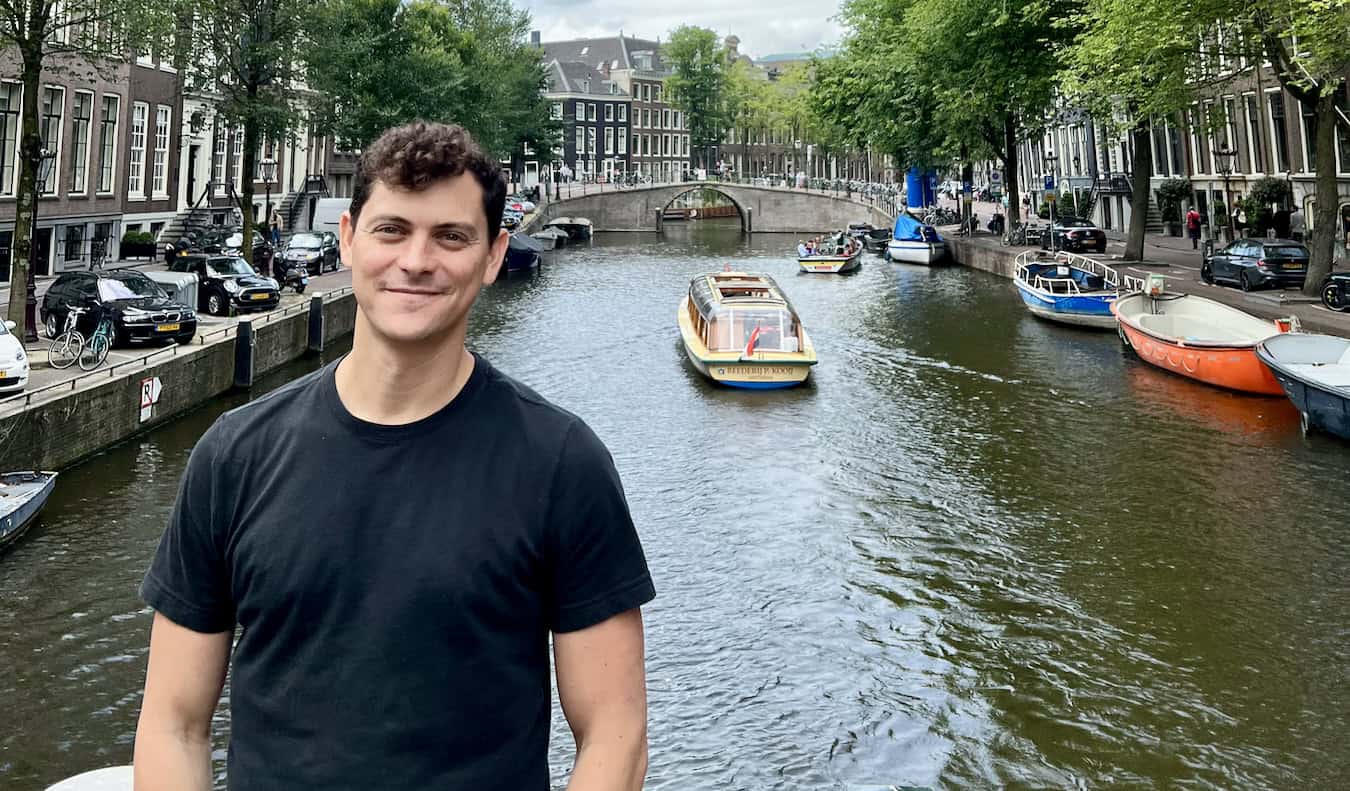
399, 535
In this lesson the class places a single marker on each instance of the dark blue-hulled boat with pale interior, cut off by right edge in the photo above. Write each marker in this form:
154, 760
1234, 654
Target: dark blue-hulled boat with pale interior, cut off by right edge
1316, 375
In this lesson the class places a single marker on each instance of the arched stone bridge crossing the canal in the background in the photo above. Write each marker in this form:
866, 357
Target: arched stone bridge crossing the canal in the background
761, 209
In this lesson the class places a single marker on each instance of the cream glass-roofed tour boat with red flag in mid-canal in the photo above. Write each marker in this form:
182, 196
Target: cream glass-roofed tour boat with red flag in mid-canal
739, 330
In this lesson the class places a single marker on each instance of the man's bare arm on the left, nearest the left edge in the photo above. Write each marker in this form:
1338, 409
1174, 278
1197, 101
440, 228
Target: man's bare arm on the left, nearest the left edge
183, 688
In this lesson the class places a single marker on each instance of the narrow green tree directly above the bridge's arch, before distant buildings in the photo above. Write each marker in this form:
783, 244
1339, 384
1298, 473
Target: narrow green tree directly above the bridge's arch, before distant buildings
699, 86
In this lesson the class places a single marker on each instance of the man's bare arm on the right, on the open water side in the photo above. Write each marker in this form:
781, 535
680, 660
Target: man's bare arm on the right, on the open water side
603, 688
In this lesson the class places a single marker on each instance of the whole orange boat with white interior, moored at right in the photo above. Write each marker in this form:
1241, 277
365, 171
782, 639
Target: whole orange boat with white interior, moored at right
1201, 339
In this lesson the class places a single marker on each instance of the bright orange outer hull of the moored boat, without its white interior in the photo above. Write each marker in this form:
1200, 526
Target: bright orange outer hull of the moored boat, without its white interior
1233, 368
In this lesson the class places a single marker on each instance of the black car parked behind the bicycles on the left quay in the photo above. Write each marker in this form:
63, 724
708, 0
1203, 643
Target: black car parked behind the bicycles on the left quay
138, 307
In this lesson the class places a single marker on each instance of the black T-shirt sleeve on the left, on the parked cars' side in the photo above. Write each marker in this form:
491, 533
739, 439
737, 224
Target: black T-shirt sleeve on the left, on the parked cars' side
190, 580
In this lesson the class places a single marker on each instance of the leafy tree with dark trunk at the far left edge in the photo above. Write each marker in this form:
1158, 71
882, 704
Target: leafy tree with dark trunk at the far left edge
64, 37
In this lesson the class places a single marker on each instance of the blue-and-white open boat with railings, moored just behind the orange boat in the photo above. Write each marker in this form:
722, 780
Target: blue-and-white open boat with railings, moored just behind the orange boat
1071, 290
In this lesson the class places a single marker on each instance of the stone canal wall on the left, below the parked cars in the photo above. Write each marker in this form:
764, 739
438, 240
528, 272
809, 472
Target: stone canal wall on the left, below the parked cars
65, 425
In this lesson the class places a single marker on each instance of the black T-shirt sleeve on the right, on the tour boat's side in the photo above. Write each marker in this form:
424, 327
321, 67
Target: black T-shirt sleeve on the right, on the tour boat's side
597, 562
